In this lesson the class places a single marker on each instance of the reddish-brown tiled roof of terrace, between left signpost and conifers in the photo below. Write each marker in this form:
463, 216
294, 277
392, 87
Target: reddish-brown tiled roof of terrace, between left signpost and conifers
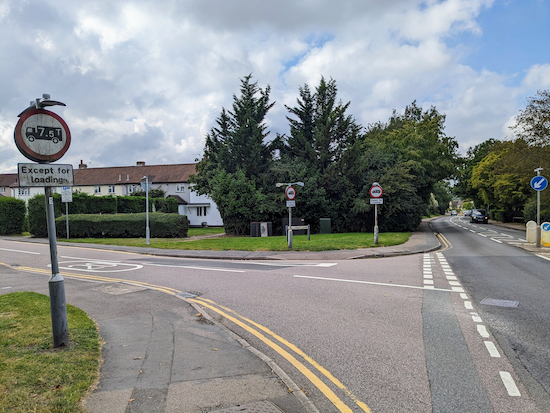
178, 173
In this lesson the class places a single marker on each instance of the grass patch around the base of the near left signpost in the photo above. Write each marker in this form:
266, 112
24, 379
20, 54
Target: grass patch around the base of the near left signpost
34, 377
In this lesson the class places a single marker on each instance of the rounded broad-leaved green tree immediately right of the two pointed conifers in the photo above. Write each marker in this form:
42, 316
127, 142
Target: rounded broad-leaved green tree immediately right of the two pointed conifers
408, 156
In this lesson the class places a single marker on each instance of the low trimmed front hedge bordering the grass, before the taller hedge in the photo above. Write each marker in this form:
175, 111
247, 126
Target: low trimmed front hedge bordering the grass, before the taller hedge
161, 225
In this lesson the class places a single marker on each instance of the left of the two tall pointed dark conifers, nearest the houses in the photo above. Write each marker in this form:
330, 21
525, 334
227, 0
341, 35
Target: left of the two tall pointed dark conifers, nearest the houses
237, 160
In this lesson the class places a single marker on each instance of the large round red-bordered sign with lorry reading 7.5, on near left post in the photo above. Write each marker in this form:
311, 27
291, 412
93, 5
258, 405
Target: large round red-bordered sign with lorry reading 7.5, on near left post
42, 136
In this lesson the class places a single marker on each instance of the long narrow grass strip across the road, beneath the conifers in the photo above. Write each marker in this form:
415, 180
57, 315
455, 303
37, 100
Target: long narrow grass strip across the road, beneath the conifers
318, 242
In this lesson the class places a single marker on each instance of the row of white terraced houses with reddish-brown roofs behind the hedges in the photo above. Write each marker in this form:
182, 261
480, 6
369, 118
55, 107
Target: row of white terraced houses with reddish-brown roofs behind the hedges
125, 180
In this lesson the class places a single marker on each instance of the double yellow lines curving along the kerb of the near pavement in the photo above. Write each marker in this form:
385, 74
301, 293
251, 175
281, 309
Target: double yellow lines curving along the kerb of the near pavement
249, 326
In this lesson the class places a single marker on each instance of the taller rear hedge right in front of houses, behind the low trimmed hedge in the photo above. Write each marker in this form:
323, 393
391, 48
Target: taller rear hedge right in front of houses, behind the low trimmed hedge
87, 204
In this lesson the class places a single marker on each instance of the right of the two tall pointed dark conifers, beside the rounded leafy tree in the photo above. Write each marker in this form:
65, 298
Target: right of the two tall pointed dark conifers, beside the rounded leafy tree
319, 153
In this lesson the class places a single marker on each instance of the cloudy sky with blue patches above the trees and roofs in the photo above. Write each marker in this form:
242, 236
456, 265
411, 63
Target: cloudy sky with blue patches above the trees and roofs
144, 80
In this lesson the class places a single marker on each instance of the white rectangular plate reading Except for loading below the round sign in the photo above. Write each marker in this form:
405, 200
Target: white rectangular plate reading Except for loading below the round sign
36, 174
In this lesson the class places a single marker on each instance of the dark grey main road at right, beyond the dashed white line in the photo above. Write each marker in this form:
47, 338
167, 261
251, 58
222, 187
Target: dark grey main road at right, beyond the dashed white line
510, 289
